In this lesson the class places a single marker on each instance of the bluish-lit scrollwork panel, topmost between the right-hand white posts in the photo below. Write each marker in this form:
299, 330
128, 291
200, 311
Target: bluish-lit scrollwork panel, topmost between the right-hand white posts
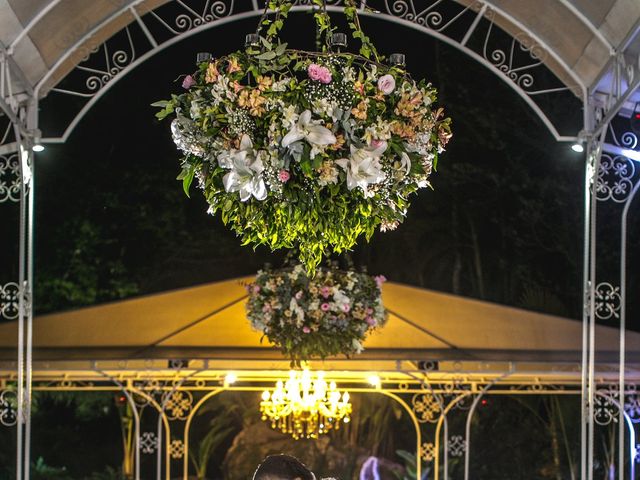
614, 180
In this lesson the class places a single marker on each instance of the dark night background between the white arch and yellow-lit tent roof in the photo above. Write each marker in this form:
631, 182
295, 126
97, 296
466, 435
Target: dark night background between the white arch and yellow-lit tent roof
505, 212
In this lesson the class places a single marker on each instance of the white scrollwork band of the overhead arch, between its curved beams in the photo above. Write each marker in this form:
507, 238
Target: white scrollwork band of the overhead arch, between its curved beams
518, 60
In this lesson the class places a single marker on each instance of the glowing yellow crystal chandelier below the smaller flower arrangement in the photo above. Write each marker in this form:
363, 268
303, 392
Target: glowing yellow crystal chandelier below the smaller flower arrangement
305, 406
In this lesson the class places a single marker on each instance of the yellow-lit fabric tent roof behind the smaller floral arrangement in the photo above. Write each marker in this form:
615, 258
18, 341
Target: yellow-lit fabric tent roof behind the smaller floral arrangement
209, 321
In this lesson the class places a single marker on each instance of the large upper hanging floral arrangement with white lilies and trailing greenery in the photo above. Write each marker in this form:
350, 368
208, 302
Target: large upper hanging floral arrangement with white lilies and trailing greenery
306, 150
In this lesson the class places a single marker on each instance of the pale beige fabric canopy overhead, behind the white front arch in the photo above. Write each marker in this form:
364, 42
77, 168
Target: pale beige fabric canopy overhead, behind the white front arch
580, 34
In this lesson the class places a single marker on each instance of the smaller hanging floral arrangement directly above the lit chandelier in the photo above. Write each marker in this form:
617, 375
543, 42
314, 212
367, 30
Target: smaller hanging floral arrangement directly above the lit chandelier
328, 314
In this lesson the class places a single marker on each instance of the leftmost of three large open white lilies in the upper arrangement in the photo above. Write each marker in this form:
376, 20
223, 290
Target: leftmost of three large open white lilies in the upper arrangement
246, 168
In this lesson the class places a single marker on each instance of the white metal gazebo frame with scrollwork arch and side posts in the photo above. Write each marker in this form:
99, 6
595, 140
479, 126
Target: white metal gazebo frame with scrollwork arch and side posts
610, 170
